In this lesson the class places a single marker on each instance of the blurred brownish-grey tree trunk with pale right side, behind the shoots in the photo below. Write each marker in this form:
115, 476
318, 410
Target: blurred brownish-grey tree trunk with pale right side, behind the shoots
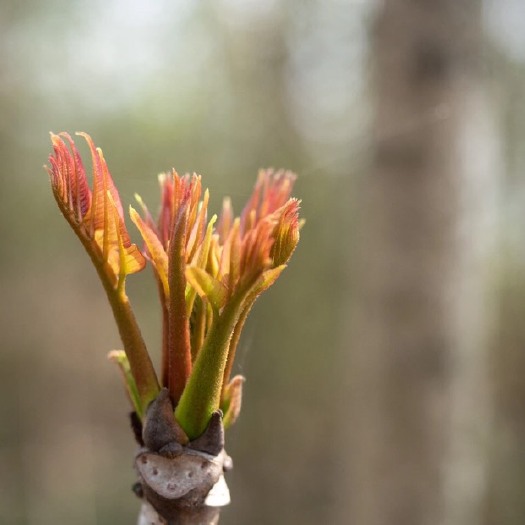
418, 383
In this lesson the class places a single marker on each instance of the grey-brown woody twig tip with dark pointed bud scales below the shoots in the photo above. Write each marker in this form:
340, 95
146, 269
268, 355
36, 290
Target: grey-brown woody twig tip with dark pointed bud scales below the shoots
180, 482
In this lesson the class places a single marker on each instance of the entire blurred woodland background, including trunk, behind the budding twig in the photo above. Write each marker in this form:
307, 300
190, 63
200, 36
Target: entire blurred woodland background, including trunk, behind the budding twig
386, 369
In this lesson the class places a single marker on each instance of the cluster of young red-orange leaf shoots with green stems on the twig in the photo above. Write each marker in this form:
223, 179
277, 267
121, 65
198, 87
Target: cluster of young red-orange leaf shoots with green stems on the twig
209, 273
